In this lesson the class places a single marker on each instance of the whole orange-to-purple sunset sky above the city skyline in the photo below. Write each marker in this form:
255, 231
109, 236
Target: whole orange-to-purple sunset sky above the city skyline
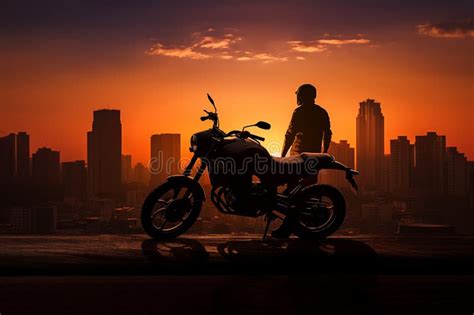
156, 60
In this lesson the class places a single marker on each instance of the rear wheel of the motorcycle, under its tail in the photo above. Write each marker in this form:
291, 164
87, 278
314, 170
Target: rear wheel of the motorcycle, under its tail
320, 212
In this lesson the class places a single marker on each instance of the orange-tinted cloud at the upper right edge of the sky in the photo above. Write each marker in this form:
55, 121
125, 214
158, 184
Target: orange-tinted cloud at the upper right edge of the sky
448, 29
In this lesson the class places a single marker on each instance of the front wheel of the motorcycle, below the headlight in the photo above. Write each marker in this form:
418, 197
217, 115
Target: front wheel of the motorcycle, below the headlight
169, 211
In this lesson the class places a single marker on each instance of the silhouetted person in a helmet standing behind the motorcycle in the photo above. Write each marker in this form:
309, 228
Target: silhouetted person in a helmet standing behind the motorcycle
309, 130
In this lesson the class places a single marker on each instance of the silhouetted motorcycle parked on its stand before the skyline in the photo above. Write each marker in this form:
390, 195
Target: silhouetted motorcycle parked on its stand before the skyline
244, 181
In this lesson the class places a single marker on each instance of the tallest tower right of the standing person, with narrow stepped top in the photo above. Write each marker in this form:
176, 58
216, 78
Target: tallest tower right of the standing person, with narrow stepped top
370, 144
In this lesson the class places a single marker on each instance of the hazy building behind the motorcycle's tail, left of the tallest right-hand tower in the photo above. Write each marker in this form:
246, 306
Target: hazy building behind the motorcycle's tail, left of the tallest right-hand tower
343, 153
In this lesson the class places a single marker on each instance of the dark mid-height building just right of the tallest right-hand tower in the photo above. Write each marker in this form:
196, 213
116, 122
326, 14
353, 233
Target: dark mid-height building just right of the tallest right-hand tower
402, 164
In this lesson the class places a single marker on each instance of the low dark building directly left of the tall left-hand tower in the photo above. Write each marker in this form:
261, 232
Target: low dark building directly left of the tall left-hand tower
74, 177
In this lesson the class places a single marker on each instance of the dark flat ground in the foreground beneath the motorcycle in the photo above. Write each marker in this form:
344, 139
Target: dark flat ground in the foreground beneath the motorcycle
131, 274
